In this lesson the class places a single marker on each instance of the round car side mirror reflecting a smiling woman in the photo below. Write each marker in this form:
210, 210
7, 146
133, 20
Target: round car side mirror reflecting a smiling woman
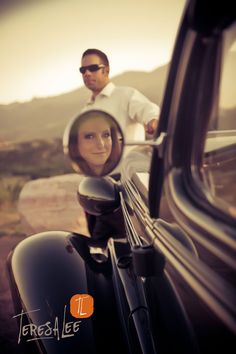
94, 143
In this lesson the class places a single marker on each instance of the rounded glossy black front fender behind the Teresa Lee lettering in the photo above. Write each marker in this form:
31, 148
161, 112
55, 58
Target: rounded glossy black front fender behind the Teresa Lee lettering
46, 270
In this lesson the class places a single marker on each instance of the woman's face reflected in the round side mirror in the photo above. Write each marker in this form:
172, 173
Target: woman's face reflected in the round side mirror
95, 142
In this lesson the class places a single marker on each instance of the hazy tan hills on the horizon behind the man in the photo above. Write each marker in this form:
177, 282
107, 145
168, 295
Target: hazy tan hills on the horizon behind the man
46, 118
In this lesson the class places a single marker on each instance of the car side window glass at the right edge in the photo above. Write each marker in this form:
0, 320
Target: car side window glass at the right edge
219, 163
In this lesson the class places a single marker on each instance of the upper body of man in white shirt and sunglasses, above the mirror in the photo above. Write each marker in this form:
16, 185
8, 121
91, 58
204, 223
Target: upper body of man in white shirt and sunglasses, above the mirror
130, 107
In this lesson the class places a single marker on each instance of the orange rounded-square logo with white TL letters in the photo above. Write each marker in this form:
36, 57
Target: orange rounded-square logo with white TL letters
81, 306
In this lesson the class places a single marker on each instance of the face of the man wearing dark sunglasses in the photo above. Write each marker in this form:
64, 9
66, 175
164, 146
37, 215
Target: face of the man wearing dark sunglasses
95, 81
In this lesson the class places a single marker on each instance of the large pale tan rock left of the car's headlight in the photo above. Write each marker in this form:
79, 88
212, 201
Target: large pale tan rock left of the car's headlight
51, 204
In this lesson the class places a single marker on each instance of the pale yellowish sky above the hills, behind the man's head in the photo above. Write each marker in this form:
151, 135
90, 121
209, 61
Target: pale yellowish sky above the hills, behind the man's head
41, 41
